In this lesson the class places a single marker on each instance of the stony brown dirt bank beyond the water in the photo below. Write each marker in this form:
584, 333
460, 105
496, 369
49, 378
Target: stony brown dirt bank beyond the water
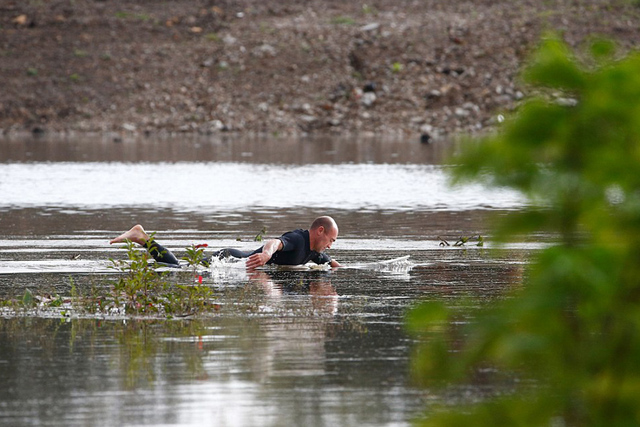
279, 66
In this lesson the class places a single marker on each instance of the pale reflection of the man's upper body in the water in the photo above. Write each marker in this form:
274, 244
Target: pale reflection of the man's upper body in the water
304, 304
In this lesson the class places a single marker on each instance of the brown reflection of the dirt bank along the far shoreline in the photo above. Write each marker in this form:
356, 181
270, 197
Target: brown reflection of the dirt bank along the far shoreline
293, 151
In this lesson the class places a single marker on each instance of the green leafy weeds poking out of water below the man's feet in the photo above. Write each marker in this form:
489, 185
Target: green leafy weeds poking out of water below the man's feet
140, 289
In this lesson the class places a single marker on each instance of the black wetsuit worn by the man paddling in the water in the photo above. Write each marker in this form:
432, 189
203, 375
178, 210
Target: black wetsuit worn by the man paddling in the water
296, 249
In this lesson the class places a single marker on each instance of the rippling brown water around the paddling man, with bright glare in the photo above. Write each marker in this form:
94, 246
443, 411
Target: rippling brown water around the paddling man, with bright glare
309, 348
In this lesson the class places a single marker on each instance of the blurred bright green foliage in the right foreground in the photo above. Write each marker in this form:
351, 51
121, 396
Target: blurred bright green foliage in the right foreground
572, 331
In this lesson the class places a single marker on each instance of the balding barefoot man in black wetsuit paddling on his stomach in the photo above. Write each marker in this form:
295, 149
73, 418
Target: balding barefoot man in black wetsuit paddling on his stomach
292, 248
